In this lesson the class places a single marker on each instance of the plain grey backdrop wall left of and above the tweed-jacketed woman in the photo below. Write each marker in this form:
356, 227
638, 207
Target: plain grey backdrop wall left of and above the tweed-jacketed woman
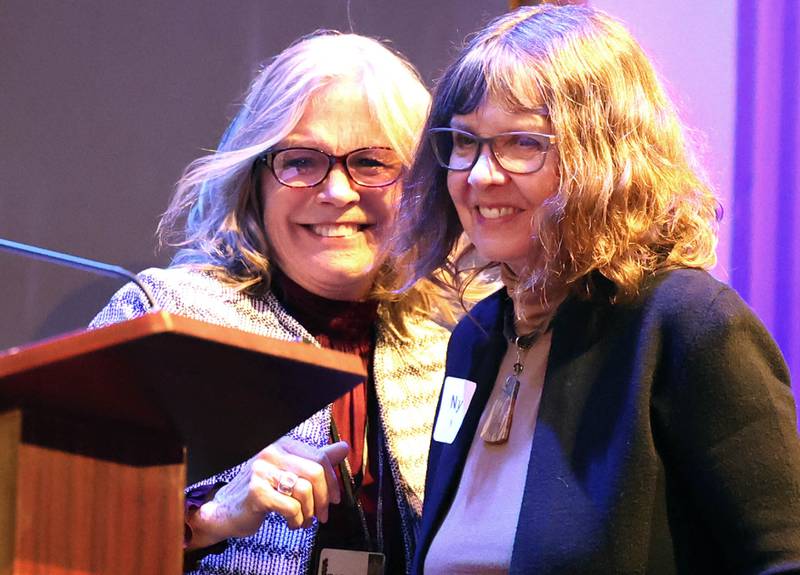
102, 104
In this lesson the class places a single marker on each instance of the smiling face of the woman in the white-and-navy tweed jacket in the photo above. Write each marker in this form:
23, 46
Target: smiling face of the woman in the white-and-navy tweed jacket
328, 238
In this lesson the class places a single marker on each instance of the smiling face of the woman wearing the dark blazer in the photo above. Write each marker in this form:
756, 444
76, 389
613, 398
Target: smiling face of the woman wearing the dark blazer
496, 207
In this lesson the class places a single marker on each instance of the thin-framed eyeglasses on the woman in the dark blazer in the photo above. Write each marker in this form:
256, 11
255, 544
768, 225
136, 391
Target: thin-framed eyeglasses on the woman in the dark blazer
516, 152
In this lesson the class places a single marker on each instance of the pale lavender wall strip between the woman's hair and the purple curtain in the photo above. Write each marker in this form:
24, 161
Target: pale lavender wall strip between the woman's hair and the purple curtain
693, 45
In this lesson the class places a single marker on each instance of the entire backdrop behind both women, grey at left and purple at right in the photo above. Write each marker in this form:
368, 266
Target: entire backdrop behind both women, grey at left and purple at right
103, 104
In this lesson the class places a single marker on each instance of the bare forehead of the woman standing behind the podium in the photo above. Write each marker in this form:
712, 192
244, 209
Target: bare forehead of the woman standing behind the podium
338, 119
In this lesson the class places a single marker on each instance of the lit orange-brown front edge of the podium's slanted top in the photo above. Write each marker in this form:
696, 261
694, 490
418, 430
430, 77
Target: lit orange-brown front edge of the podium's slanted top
80, 342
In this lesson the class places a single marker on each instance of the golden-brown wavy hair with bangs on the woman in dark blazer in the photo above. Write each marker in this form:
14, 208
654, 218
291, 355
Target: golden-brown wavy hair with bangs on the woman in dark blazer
631, 199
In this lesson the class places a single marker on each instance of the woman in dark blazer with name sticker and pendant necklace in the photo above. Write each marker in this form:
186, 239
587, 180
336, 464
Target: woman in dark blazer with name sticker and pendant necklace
612, 409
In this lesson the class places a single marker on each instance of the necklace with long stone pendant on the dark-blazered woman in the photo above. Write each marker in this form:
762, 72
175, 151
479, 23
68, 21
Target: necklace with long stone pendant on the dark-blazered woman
501, 412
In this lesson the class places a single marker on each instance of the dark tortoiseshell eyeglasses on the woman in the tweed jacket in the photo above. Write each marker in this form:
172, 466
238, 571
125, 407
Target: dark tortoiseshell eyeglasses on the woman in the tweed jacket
307, 167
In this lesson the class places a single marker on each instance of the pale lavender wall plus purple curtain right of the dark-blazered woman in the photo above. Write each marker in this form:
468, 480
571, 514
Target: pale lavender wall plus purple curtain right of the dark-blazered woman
733, 69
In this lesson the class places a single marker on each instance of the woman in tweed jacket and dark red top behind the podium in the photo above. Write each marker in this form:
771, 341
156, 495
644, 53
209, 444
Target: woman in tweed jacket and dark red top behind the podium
281, 232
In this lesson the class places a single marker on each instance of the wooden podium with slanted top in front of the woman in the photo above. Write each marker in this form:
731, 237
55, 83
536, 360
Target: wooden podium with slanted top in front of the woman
95, 428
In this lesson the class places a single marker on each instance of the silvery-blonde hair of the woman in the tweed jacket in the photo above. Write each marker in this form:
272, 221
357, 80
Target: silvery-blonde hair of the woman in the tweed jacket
214, 217
